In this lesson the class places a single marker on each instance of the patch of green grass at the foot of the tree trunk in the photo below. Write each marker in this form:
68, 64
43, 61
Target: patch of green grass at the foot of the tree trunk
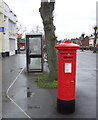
43, 82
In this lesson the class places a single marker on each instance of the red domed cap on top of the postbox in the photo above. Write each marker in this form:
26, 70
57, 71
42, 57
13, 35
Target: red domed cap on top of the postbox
67, 45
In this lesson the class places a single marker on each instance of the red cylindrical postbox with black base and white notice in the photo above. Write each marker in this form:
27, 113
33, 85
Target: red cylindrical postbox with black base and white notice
66, 77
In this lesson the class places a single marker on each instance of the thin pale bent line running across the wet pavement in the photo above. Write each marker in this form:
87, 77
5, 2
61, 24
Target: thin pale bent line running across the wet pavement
12, 99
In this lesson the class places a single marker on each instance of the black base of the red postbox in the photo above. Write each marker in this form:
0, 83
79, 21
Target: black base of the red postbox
65, 107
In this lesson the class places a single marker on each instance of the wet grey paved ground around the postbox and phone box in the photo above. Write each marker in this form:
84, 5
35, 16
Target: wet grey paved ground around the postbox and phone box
42, 103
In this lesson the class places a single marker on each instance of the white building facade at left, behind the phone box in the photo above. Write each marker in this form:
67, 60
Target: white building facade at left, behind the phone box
9, 40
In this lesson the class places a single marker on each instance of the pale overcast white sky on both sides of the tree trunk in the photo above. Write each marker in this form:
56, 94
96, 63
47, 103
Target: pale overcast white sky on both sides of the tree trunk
71, 17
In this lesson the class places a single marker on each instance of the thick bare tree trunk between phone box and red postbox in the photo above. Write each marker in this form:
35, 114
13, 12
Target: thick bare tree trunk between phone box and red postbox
46, 12
